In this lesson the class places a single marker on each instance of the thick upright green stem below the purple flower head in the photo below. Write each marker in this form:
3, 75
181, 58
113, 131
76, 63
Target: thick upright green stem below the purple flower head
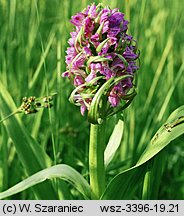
96, 159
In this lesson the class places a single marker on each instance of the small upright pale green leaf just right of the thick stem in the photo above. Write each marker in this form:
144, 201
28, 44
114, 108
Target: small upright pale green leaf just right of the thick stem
114, 142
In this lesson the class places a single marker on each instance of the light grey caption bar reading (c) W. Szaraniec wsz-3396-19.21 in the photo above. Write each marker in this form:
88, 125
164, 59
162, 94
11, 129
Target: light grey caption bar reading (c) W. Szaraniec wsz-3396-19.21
87, 207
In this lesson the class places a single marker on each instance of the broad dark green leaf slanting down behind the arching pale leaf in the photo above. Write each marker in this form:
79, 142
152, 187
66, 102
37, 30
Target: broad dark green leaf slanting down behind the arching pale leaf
29, 151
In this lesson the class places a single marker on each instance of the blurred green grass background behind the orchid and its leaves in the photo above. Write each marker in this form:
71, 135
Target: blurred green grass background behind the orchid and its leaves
33, 40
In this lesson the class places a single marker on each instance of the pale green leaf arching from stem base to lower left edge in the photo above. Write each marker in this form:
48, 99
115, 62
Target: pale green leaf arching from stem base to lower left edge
61, 171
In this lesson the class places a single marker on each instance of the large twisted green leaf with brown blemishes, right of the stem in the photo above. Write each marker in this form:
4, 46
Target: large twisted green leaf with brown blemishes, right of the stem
124, 184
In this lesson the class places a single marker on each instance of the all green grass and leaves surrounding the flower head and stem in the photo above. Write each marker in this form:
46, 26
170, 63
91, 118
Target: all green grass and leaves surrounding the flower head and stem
33, 40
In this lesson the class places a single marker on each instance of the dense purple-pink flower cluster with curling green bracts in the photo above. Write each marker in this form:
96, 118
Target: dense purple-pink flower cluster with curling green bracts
100, 49
